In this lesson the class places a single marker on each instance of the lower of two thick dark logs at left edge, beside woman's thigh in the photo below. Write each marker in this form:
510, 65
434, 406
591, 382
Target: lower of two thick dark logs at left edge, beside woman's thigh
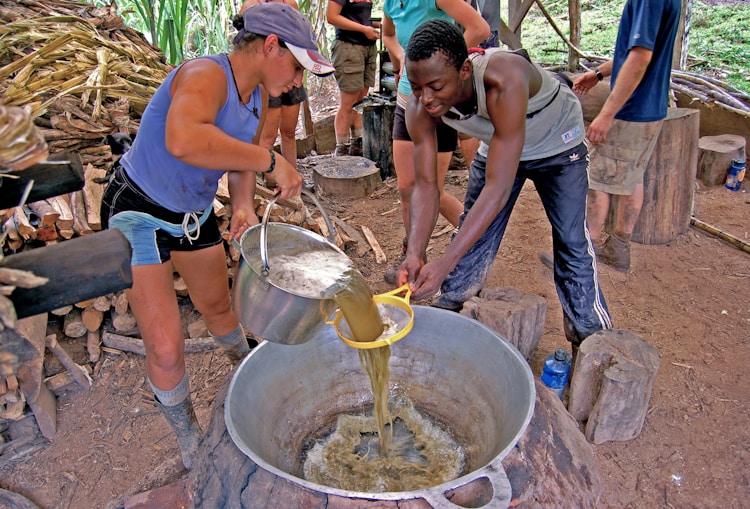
77, 269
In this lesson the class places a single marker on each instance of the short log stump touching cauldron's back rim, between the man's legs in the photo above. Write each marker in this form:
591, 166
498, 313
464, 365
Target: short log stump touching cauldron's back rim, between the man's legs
515, 315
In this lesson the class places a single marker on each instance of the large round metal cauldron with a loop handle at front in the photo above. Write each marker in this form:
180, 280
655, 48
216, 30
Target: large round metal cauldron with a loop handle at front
454, 369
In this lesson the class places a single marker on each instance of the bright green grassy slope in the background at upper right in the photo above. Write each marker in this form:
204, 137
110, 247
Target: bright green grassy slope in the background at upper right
719, 38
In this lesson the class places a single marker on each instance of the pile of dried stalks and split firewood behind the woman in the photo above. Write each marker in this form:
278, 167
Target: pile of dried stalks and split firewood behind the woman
82, 75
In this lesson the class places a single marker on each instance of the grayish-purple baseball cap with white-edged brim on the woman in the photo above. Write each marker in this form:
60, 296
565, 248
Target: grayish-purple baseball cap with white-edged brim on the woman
290, 26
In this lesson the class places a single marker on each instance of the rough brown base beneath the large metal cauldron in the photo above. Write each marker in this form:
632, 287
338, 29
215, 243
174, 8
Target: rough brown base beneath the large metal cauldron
552, 462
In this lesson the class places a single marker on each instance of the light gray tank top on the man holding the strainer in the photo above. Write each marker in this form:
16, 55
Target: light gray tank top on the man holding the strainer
554, 119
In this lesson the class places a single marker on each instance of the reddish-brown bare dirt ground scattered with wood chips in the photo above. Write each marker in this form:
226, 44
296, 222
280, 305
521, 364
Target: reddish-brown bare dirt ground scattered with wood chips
690, 298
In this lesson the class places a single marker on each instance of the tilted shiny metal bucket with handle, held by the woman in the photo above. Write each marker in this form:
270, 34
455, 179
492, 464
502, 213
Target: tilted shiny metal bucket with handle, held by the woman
269, 310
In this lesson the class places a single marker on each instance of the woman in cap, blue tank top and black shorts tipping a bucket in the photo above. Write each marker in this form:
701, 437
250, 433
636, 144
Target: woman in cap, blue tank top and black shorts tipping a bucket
200, 124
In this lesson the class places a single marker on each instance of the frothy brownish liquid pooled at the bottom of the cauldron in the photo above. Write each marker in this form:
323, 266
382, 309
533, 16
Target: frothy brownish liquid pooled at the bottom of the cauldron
422, 454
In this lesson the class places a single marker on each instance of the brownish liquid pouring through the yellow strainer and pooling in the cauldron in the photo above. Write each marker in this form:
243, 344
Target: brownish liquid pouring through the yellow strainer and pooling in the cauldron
395, 449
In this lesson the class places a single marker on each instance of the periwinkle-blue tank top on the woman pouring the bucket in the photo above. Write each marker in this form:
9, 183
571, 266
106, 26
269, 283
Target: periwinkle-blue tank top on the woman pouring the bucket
173, 184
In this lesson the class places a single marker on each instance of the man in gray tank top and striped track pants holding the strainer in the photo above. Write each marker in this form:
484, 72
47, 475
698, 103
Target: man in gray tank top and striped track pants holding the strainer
531, 127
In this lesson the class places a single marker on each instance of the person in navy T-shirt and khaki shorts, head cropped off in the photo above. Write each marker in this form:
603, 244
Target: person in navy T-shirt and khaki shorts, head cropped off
625, 131
